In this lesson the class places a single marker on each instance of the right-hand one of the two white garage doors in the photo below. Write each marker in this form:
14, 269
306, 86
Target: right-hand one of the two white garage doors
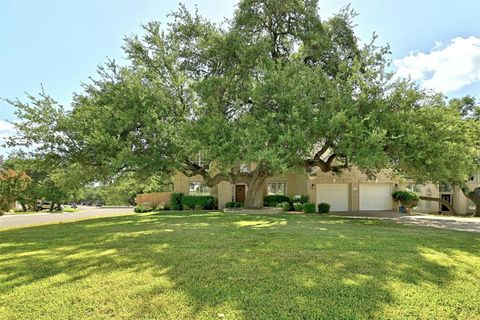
375, 197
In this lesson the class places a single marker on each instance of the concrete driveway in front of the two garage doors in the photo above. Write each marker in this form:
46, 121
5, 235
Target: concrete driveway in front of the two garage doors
452, 223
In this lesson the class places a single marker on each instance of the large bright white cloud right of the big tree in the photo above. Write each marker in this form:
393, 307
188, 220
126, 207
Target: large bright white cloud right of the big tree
446, 68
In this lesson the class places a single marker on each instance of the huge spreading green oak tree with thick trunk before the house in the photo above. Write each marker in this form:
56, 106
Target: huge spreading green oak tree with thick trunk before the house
274, 86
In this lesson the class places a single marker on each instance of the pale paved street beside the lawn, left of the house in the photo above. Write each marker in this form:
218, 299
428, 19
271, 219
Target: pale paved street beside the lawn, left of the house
22, 220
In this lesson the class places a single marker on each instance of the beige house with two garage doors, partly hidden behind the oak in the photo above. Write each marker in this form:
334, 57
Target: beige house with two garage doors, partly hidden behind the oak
351, 191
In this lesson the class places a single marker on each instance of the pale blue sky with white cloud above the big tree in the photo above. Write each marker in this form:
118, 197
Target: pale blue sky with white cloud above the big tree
60, 43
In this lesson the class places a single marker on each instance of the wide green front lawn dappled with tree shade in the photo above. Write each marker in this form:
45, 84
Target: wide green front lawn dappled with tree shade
214, 265
